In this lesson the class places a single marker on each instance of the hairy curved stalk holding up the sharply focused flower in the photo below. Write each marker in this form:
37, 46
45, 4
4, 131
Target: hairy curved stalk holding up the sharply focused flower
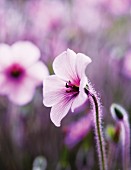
98, 130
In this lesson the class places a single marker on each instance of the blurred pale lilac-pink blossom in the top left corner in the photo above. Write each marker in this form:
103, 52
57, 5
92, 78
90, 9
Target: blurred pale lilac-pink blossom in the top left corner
12, 22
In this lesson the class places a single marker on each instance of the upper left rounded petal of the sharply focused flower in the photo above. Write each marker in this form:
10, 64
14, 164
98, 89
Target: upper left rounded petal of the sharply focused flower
64, 65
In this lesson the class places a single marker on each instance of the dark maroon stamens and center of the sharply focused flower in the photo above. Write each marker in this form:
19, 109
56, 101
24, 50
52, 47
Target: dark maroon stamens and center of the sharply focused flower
71, 88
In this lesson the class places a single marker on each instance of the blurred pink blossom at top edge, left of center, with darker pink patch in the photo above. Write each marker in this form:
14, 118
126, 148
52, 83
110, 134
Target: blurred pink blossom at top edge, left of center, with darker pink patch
49, 14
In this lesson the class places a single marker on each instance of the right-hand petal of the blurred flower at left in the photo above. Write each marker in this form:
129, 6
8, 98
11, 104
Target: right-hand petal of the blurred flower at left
37, 72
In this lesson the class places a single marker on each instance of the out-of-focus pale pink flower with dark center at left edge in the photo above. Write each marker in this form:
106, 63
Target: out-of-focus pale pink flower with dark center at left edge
20, 71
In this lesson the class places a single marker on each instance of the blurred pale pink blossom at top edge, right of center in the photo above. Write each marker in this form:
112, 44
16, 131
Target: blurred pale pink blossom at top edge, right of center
89, 18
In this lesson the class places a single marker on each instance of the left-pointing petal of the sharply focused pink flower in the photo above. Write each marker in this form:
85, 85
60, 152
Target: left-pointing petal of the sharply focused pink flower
53, 90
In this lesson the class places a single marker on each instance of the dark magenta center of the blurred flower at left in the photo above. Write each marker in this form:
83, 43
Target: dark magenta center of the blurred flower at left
15, 71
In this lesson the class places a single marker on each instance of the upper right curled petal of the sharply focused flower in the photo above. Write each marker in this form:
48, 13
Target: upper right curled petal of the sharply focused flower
81, 63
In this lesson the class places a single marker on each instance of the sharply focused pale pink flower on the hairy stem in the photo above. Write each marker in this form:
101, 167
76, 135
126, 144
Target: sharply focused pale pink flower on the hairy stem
65, 90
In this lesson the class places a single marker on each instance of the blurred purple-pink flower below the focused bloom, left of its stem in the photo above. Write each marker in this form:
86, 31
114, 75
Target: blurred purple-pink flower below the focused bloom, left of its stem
78, 130
